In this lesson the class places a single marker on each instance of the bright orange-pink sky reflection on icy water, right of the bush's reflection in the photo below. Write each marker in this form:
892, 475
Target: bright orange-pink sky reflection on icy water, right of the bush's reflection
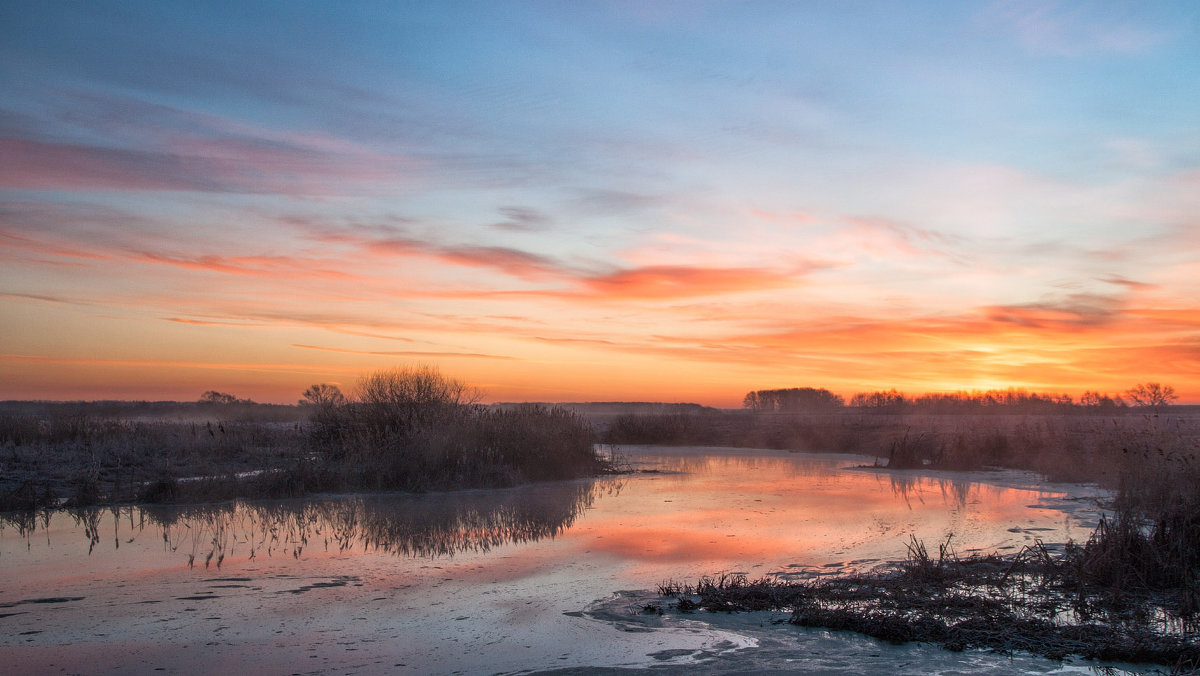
735, 511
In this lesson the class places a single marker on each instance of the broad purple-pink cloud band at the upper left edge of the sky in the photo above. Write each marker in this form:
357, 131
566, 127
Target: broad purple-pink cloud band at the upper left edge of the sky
151, 147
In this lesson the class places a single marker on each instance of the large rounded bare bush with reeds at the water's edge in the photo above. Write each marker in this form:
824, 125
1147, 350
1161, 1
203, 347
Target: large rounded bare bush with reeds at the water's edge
416, 429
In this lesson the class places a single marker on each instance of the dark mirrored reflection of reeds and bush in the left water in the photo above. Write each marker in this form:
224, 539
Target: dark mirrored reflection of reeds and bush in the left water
431, 525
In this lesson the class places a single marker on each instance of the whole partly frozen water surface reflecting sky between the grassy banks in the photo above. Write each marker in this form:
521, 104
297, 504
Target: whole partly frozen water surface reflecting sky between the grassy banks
539, 578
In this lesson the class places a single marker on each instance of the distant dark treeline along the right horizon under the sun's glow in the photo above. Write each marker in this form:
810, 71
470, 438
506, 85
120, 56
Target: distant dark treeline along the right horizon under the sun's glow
819, 400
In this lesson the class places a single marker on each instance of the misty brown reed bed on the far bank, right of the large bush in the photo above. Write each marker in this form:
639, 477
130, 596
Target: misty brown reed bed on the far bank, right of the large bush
1070, 448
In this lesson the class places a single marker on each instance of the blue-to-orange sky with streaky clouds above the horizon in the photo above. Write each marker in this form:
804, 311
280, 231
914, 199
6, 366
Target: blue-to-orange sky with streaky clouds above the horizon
598, 201
